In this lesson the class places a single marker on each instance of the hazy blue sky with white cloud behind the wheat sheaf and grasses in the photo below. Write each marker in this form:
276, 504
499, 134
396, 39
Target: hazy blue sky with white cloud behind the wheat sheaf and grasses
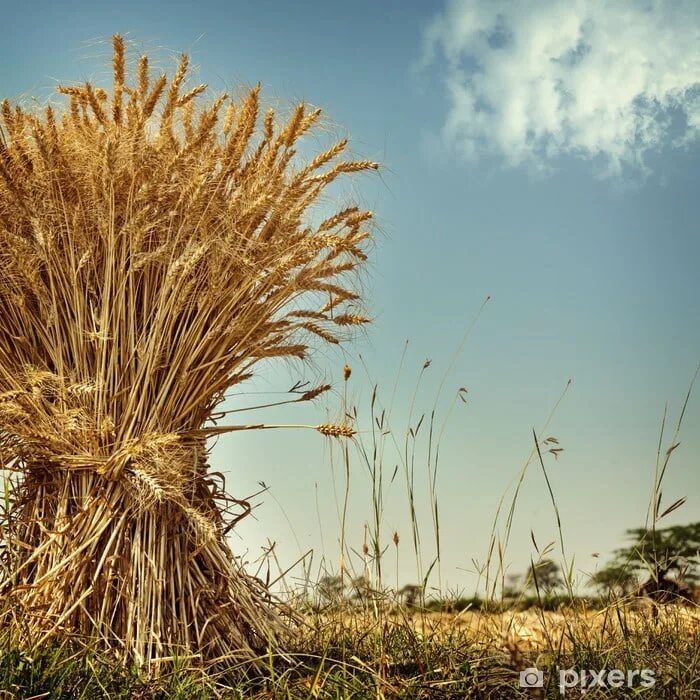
544, 155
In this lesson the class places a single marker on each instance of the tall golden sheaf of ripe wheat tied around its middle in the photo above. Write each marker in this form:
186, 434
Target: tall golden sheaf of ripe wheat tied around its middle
152, 252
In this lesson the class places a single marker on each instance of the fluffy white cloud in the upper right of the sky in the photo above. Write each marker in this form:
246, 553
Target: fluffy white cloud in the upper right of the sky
533, 81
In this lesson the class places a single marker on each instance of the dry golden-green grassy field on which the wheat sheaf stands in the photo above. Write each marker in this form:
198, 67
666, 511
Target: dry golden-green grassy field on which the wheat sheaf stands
401, 653
